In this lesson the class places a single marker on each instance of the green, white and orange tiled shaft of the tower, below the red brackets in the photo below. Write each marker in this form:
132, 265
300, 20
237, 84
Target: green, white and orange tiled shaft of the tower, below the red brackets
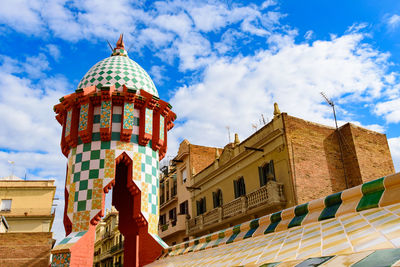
91, 167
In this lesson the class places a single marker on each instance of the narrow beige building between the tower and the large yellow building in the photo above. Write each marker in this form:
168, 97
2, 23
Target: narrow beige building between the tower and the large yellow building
176, 176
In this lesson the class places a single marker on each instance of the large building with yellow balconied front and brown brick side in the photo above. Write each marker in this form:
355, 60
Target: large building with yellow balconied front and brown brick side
287, 162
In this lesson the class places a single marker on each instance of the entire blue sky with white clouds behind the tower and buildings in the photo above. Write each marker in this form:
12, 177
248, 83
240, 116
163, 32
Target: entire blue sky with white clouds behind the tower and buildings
219, 63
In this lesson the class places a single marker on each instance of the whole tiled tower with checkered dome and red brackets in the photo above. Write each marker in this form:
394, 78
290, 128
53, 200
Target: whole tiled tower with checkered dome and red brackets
114, 134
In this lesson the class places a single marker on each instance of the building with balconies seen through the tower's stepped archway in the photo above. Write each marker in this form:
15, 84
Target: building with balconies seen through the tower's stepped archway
109, 242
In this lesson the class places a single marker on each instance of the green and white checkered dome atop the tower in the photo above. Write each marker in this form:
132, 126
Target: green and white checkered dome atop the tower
118, 69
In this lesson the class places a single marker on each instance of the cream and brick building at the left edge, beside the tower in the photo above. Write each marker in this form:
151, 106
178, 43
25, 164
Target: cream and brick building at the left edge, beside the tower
27, 209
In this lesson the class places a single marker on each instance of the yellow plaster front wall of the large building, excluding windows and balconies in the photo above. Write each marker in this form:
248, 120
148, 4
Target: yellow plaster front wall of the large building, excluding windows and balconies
236, 161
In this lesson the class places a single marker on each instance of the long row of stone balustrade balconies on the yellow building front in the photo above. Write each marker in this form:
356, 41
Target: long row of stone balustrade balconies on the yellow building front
268, 196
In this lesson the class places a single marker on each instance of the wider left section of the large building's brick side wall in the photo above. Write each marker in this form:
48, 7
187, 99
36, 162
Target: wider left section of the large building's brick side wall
315, 159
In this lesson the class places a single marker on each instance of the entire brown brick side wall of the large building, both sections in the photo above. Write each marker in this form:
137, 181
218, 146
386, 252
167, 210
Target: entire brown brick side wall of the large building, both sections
314, 155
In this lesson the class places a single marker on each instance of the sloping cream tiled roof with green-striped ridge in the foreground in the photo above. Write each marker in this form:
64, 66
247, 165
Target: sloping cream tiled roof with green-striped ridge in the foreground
357, 227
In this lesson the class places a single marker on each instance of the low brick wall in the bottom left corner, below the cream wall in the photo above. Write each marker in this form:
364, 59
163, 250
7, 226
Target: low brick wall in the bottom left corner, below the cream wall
25, 249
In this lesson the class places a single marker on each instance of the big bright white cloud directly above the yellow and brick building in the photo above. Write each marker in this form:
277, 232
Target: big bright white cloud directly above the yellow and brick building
235, 92
